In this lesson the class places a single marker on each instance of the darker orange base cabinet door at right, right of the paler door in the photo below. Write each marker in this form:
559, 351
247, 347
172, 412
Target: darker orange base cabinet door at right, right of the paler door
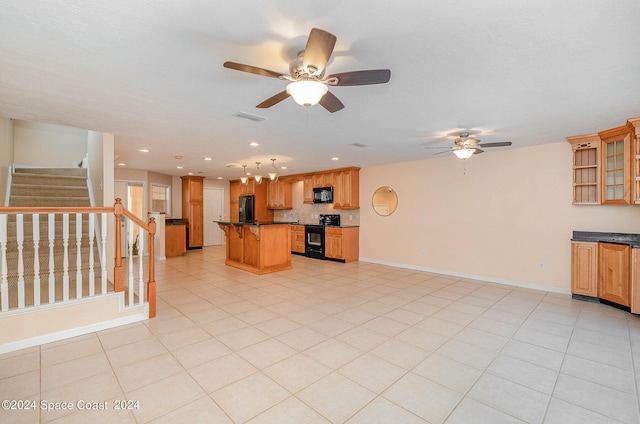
614, 263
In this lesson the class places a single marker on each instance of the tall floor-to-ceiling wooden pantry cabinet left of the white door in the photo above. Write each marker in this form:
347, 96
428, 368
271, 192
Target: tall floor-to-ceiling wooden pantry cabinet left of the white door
192, 209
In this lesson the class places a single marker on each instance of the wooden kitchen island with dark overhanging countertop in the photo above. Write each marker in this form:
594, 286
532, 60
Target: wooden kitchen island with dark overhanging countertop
258, 247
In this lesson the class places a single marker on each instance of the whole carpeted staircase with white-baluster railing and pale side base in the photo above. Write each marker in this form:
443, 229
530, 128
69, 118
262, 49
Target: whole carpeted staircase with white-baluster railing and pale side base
53, 265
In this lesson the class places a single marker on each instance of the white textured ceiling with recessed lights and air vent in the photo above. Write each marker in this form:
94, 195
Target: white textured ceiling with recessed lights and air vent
151, 73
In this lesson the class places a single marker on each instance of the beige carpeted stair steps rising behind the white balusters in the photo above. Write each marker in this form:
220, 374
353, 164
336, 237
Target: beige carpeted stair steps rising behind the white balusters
59, 187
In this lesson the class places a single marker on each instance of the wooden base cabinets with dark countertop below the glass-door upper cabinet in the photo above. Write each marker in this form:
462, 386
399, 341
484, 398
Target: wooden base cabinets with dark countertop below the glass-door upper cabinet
608, 271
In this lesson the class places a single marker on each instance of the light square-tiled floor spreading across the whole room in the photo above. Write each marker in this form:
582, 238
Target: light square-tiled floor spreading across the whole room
334, 343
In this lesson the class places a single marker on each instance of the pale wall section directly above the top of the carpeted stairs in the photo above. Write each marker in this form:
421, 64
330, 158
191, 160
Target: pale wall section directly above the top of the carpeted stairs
38, 144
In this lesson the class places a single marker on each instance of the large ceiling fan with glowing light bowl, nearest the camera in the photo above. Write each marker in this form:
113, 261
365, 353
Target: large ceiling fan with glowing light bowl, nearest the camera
308, 85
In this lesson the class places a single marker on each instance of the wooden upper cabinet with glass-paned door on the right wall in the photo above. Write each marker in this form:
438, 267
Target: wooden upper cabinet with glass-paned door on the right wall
606, 166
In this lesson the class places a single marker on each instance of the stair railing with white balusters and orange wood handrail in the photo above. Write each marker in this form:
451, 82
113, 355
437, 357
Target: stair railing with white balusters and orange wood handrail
22, 261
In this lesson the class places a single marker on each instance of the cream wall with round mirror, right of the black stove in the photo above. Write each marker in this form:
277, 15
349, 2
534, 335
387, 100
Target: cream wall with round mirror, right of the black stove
508, 213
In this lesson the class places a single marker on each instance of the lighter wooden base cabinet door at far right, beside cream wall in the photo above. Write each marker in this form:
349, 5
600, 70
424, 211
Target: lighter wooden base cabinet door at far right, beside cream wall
584, 268
